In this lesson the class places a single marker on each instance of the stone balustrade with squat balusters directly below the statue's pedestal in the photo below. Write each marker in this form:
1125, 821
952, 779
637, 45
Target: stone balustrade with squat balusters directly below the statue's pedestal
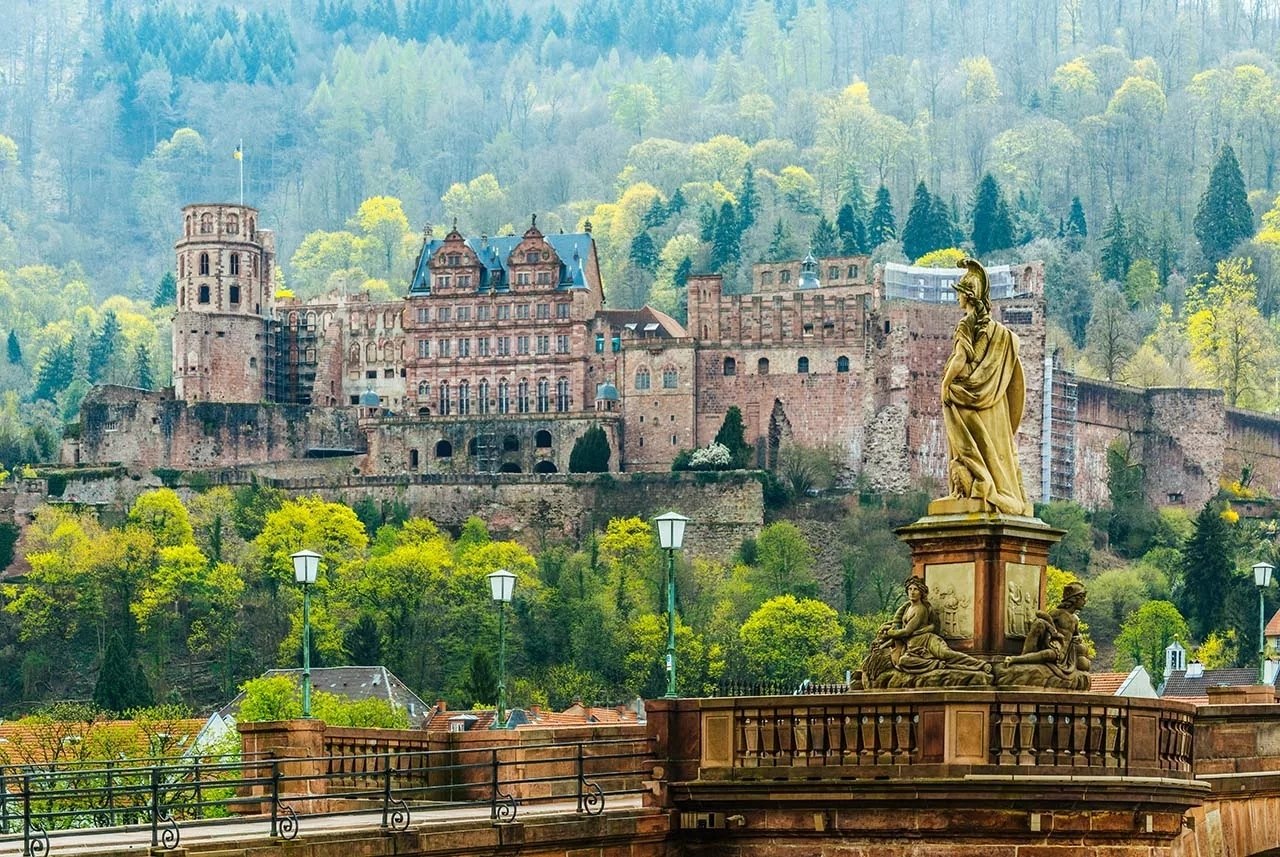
932, 734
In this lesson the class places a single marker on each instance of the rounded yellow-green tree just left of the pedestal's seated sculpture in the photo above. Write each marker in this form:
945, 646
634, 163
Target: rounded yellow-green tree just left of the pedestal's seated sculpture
789, 640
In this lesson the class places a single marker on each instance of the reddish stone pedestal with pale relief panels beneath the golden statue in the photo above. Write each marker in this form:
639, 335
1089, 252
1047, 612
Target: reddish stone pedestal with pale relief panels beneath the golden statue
986, 574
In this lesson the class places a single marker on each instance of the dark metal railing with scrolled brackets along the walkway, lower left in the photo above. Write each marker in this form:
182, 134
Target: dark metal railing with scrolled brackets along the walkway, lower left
43, 805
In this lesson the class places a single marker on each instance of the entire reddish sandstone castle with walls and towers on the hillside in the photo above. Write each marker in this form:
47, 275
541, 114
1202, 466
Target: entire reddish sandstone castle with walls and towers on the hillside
504, 352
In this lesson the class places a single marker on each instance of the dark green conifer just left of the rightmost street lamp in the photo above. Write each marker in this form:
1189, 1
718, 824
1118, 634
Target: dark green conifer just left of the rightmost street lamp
1209, 569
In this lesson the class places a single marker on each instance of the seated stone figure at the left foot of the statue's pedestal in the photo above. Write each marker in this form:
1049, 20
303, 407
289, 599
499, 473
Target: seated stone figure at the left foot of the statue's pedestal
909, 653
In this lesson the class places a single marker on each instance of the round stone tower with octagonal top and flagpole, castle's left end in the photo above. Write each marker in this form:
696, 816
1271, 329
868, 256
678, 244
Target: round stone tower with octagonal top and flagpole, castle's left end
222, 331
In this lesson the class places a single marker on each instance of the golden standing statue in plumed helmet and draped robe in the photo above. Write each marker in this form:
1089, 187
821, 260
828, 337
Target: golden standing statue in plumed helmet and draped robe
982, 406
